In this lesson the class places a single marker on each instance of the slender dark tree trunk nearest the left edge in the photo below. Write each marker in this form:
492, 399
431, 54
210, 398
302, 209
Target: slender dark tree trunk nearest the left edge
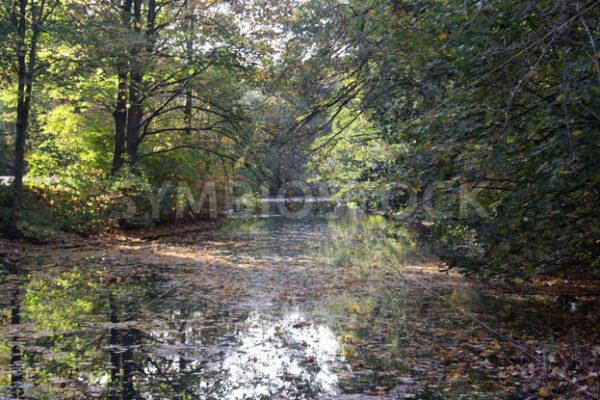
24, 90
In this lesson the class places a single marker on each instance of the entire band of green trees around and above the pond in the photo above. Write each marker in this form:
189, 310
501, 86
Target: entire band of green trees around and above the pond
477, 118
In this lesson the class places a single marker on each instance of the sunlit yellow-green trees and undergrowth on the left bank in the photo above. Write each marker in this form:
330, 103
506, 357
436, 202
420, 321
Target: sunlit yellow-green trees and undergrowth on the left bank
192, 125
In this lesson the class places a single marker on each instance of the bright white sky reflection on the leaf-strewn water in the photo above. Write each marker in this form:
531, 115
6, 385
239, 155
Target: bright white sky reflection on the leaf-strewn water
286, 358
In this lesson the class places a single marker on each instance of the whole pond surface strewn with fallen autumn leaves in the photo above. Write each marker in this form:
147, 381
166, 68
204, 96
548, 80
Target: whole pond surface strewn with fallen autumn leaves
272, 308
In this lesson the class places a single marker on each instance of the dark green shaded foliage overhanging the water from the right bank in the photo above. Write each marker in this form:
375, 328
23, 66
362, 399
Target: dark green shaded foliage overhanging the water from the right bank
495, 106
